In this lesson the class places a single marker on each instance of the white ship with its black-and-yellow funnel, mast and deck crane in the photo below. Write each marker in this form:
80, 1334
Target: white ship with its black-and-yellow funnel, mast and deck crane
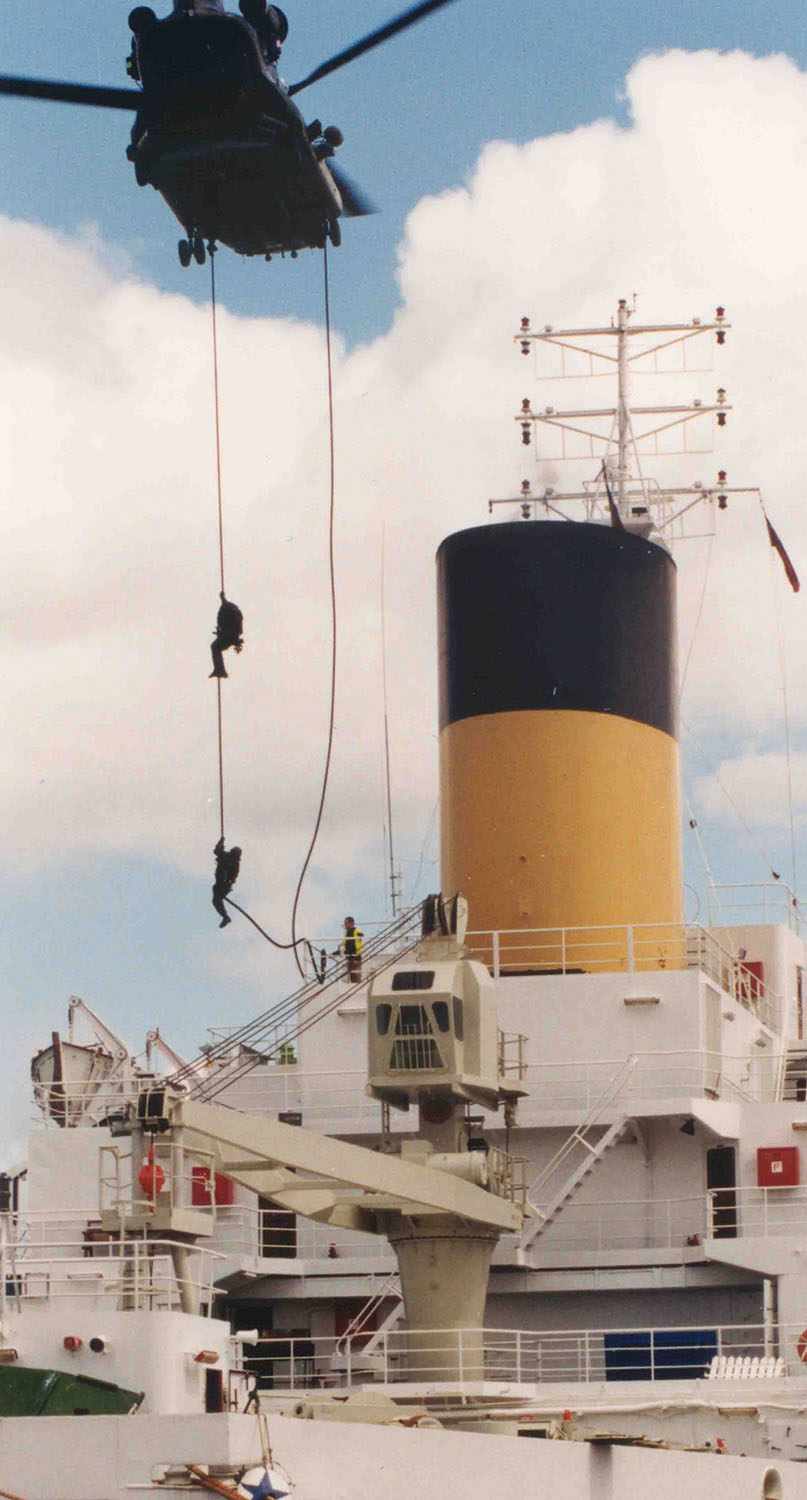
565, 1195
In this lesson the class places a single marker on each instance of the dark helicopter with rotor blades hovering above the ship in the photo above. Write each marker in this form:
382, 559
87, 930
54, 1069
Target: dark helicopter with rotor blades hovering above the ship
218, 134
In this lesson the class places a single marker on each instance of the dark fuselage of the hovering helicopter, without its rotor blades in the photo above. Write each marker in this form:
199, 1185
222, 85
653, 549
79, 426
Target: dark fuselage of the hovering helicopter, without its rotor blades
223, 142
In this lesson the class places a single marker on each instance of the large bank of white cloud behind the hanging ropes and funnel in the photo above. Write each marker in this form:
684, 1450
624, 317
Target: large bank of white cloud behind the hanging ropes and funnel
107, 428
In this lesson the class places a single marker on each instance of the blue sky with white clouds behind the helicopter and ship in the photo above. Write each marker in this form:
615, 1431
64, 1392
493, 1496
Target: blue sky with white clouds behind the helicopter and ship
526, 163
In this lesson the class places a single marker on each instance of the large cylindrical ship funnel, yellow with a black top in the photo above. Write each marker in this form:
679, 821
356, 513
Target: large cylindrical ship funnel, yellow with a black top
559, 752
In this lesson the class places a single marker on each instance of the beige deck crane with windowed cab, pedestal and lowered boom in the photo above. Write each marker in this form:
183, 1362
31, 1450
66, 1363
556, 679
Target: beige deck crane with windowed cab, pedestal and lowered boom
443, 1202
